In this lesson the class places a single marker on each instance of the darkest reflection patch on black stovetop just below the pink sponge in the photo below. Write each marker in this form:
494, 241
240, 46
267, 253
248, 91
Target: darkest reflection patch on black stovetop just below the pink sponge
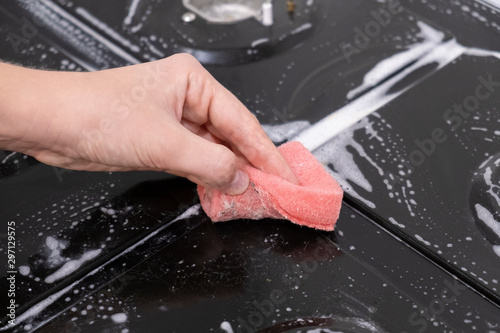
212, 260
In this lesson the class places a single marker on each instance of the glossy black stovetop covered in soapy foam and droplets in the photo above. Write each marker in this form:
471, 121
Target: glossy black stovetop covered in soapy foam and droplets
397, 100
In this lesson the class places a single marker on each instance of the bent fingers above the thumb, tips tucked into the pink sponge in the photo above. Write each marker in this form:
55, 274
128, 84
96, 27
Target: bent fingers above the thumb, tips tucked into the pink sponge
208, 102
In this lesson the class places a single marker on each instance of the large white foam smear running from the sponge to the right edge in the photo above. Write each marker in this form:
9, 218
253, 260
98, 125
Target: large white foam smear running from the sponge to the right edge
330, 138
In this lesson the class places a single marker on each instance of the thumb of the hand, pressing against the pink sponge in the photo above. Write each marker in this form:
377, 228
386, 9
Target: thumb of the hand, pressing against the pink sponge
210, 164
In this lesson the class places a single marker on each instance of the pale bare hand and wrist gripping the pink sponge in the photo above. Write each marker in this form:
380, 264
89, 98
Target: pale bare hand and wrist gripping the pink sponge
170, 115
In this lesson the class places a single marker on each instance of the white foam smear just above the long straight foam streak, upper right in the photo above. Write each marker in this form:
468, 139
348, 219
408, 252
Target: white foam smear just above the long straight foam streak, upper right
430, 39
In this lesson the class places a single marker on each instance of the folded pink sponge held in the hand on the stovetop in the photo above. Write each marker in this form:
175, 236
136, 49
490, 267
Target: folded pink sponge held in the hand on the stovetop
315, 202
